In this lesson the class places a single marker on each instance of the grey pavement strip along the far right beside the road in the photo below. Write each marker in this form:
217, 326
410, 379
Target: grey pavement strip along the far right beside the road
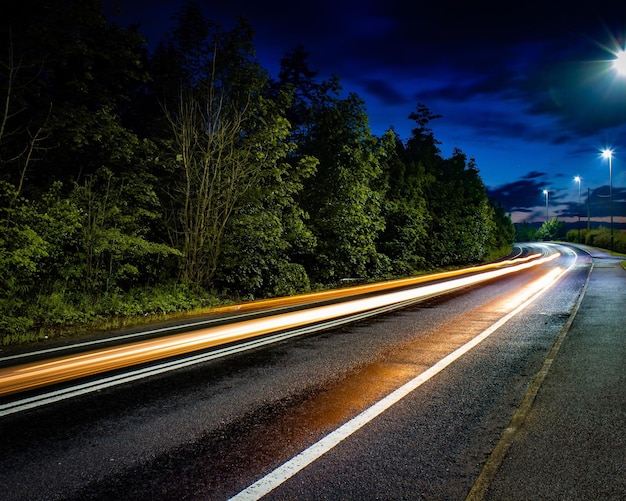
568, 440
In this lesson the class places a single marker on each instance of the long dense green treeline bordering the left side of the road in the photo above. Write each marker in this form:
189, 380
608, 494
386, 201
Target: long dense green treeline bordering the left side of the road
133, 181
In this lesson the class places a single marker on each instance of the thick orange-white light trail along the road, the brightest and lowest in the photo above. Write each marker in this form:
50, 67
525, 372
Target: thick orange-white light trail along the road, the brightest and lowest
61, 369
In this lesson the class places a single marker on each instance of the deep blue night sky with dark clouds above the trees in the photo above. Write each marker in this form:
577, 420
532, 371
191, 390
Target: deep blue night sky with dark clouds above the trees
526, 89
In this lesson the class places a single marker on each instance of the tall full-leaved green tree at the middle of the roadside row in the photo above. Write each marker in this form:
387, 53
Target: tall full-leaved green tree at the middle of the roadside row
342, 198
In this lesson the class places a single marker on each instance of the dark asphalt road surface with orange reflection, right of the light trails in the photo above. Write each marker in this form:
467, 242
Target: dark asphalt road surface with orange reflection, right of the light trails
210, 431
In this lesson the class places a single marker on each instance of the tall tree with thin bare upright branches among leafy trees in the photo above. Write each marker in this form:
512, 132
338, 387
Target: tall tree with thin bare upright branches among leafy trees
228, 138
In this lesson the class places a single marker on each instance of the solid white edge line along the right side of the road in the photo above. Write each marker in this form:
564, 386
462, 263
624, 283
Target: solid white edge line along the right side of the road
284, 472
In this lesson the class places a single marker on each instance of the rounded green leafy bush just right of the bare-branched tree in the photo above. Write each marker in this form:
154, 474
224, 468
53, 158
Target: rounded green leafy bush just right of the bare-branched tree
266, 234
